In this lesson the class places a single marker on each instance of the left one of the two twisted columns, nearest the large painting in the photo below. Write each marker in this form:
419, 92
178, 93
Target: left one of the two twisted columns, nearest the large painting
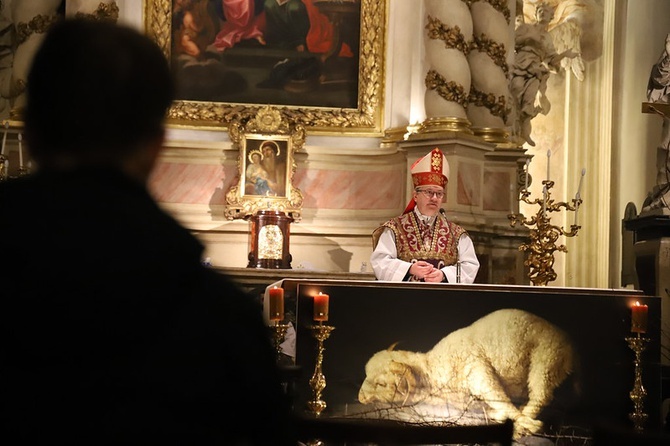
447, 41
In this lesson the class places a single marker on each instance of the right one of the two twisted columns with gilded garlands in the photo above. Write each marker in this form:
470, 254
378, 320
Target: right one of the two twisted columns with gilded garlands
489, 102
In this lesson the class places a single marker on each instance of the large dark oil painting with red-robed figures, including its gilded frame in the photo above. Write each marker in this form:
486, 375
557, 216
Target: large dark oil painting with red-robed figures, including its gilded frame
319, 60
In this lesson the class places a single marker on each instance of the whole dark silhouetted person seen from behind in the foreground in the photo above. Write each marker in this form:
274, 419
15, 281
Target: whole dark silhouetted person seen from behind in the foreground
113, 332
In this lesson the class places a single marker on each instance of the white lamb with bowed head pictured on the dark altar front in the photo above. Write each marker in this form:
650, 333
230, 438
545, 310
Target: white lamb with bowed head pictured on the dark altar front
511, 360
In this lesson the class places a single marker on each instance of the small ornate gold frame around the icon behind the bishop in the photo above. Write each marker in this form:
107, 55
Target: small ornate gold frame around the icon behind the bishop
268, 126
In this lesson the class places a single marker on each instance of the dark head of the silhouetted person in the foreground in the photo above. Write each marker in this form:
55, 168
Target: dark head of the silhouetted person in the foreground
97, 94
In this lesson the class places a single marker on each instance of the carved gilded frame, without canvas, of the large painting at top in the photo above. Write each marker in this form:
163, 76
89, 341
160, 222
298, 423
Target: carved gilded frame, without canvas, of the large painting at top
365, 119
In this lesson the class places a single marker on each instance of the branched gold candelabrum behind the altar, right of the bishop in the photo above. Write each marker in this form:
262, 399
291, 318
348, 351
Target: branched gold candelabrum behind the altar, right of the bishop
543, 235
